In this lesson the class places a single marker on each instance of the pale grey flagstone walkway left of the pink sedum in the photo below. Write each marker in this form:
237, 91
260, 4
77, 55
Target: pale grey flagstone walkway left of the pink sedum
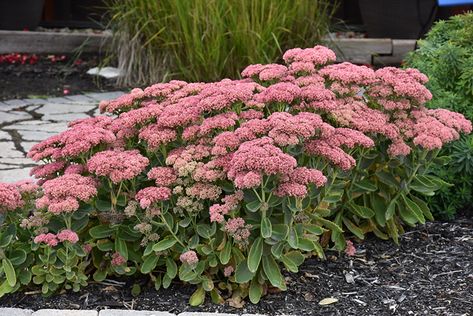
24, 123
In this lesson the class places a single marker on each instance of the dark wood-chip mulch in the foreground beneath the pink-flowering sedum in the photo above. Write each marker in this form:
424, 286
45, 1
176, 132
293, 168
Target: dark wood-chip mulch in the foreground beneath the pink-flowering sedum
431, 273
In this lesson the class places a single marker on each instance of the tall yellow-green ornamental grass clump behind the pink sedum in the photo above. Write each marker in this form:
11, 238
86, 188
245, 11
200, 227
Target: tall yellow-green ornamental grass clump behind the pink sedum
206, 40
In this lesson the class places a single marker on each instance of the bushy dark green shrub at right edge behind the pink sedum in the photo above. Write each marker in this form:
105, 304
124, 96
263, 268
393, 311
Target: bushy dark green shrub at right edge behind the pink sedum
446, 57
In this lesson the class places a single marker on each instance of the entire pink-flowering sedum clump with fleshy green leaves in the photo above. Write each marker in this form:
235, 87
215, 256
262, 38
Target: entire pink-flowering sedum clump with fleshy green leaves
224, 185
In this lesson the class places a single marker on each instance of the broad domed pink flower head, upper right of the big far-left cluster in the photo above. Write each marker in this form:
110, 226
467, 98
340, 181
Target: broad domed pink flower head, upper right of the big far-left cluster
117, 165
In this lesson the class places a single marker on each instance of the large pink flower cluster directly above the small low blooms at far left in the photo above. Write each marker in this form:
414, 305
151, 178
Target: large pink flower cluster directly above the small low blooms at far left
62, 194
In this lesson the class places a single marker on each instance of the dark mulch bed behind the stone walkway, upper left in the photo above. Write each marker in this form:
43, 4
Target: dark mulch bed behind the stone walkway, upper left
46, 78
